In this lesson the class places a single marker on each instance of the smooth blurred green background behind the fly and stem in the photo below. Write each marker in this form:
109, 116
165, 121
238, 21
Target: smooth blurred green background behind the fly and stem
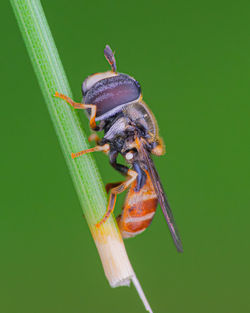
192, 59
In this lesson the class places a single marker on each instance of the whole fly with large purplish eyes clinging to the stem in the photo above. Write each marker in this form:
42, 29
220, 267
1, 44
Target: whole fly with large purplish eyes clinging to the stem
114, 100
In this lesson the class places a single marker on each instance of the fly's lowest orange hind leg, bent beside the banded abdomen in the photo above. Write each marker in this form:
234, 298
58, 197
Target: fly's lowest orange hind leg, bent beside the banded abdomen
113, 194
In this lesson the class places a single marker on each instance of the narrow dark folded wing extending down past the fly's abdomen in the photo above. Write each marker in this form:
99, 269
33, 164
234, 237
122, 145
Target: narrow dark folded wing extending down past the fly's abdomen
162, 199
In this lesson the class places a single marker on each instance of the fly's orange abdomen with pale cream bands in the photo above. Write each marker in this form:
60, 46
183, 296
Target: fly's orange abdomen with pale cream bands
139, 209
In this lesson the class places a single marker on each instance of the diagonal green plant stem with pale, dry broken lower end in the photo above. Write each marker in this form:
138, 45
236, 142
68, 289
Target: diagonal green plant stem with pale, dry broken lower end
83, 170
